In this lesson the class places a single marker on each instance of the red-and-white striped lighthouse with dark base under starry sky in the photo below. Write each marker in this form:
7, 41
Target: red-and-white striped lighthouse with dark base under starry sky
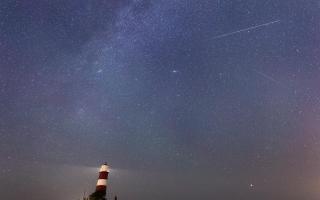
101, 187
